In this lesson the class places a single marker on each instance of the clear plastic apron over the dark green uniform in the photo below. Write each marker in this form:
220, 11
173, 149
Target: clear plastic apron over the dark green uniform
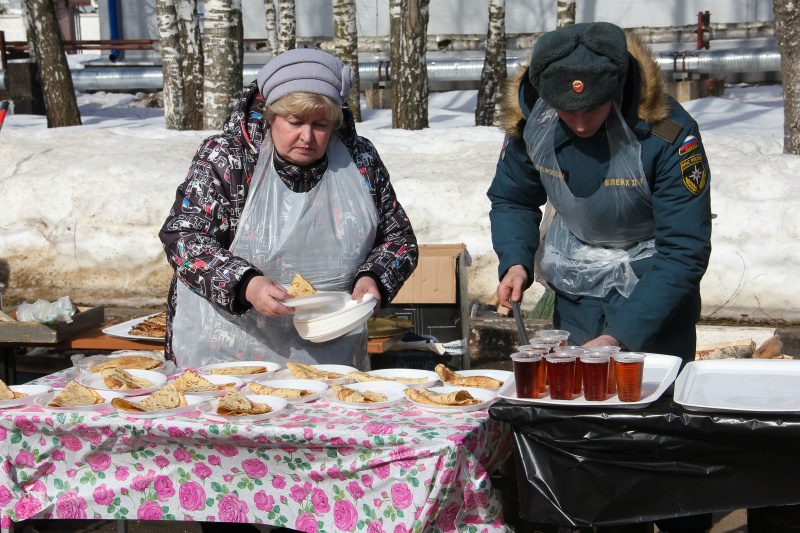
591, 241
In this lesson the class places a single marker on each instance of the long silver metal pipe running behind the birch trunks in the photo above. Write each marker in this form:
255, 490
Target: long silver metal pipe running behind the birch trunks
469, 69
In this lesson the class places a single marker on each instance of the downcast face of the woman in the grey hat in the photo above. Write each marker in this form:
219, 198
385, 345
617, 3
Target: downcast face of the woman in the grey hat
301, 140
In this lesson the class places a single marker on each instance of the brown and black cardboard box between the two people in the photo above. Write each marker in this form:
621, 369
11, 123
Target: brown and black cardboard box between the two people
435, 297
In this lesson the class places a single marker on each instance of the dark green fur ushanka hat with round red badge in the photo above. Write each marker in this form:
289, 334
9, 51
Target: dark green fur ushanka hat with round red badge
581, 66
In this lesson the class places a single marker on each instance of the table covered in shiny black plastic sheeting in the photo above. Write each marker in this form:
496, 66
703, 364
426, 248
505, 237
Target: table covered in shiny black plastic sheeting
603, 467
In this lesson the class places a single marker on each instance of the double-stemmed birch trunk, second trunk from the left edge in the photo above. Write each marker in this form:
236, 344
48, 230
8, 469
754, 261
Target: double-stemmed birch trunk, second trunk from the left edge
181, 64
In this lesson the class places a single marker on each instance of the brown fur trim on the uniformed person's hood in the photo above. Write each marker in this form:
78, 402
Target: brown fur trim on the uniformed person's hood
653, 103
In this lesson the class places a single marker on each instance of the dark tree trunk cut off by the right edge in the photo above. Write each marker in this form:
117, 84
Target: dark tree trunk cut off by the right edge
787, 32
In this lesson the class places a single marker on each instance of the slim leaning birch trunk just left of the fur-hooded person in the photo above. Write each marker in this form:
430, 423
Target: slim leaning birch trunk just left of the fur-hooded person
493, 75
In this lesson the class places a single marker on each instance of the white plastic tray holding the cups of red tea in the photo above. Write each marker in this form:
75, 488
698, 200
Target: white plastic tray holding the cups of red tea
659, 373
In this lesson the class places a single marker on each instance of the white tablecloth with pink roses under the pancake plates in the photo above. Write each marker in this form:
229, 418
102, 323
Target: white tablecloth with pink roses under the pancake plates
315, 468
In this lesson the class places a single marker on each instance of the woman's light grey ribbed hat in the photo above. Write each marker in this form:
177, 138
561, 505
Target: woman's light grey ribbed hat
305, 70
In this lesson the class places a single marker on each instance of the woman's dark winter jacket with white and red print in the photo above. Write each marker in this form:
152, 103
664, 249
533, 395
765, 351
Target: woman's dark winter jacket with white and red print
203, 220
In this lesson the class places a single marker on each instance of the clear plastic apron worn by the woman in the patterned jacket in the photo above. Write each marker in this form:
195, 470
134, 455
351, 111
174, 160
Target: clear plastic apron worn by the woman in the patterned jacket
325, 234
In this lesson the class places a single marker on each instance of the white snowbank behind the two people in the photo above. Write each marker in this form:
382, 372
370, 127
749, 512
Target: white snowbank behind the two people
82, 206
